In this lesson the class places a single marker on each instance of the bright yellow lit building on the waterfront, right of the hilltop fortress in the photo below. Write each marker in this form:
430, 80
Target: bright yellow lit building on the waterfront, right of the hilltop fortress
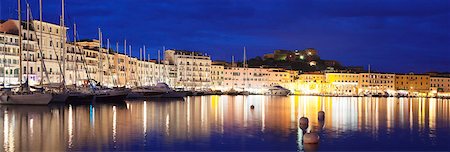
343, 83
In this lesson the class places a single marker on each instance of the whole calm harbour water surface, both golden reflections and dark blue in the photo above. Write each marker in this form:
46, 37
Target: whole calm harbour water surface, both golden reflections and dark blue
228, 123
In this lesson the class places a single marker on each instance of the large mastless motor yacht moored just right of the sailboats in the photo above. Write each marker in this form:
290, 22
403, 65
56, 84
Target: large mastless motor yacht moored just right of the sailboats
160, 90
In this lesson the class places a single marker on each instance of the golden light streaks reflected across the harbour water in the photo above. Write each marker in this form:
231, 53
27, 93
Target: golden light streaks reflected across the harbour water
202, 119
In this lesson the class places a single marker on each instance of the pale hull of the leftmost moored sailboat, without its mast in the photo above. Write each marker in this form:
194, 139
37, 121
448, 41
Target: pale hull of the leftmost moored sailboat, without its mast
26, 99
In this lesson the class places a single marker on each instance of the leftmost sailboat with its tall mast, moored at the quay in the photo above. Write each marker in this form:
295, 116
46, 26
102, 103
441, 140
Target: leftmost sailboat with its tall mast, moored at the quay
24, 95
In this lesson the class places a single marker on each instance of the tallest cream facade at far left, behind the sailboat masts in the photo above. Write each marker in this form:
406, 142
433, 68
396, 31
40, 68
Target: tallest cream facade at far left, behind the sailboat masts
52, 41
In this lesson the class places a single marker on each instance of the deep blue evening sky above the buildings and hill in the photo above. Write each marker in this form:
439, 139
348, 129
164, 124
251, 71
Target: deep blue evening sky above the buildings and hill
391, 35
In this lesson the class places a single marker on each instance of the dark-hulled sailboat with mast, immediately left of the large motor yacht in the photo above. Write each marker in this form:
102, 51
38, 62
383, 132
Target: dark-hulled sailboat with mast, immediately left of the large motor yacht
101, 93
